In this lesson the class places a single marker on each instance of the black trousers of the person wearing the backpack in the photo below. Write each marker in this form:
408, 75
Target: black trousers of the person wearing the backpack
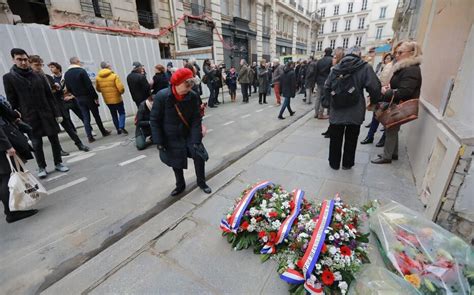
338, 133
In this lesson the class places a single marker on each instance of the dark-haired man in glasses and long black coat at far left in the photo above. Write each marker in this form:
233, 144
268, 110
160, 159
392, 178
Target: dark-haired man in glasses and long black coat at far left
29, 93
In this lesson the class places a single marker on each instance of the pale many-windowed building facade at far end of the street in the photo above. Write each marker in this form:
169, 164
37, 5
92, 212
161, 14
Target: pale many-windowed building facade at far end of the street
346, 23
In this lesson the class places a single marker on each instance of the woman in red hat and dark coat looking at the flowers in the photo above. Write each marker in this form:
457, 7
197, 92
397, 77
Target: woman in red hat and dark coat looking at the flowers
175, 121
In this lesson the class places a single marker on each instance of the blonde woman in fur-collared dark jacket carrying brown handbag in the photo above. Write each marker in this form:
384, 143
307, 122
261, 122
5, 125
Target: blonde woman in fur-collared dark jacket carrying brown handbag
405, 84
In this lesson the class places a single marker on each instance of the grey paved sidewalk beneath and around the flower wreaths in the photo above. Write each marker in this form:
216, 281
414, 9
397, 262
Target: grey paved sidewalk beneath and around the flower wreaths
181, 250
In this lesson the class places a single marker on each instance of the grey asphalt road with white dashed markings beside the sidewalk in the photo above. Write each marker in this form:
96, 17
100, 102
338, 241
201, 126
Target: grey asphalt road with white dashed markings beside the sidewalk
112, 190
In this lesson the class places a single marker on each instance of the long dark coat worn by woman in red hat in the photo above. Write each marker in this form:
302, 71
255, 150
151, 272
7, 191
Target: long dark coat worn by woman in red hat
168, 129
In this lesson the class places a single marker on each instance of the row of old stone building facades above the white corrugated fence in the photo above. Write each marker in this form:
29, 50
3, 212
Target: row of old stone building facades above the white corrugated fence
224, 30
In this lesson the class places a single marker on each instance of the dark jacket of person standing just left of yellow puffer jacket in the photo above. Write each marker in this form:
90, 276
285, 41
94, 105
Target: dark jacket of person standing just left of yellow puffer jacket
77, 82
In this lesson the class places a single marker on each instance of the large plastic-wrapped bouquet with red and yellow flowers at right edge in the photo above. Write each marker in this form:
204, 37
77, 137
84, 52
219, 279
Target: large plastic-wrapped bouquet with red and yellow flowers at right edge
432, 259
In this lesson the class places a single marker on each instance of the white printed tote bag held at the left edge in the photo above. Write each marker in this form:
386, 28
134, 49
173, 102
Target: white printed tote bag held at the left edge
25, 190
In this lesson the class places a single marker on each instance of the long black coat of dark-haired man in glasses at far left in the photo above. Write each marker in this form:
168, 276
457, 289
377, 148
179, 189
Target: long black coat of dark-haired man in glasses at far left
30, 94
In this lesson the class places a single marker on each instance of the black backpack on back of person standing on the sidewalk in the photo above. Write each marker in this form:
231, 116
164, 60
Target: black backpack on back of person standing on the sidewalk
344, 91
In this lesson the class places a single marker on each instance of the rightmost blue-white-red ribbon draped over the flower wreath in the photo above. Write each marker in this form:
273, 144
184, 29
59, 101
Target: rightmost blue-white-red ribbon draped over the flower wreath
311, 255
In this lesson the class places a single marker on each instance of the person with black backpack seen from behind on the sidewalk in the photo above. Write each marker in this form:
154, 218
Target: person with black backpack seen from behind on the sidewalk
344, 90
